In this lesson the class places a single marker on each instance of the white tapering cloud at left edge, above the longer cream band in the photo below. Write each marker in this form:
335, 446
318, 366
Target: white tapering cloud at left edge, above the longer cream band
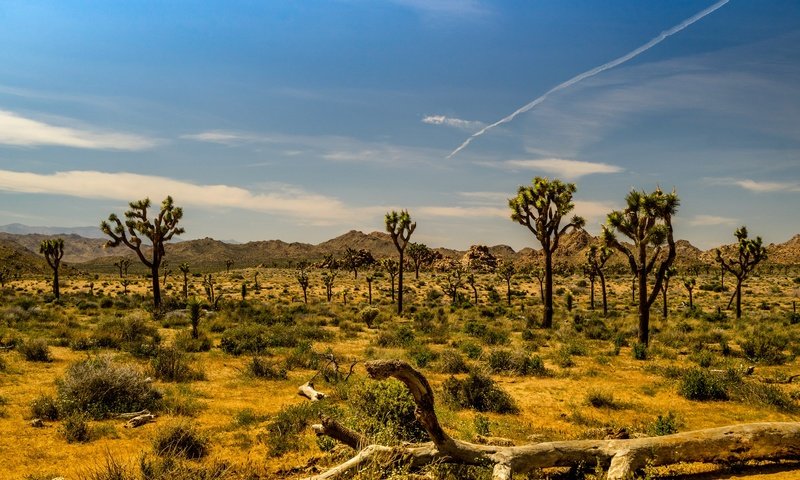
20, 131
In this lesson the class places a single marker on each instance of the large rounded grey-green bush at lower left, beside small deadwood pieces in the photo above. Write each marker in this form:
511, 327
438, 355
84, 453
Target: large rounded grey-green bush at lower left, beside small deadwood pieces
99, 386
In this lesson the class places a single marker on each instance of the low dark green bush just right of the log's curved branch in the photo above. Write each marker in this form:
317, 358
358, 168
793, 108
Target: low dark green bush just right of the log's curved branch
479, 392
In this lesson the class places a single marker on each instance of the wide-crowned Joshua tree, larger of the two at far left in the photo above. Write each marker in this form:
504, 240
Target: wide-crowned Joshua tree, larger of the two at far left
158, 231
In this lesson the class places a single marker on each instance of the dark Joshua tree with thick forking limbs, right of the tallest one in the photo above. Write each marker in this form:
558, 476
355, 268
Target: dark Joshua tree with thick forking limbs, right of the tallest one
647, 220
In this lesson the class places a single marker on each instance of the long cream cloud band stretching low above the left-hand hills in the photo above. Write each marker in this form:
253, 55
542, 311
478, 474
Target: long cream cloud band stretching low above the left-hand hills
285, 200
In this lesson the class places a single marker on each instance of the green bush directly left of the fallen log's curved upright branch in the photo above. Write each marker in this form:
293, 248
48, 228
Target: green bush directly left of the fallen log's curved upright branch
384, 411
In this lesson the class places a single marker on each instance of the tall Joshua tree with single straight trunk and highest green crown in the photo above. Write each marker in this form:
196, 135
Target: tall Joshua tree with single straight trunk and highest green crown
541, 207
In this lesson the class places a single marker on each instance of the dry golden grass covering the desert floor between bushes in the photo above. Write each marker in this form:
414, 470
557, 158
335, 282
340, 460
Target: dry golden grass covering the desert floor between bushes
551, 407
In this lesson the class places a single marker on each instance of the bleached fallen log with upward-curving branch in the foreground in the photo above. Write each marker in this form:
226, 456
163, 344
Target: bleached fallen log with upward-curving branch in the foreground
756, 441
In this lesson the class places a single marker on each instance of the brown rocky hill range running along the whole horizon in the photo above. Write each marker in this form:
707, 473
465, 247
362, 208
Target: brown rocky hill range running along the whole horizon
210, 254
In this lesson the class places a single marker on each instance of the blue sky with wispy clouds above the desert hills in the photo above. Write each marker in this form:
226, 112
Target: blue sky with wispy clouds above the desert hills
301, 121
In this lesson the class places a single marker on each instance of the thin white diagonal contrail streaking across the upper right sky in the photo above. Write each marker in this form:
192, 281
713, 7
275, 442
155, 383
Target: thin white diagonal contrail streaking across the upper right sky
596, 70
